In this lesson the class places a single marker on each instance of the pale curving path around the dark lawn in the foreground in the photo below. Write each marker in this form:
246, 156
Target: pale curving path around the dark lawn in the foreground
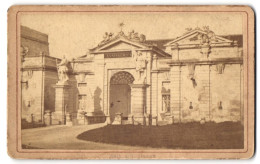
64, 137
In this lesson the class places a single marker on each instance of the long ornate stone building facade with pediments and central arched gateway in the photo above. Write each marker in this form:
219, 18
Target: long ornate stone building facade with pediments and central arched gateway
127, 79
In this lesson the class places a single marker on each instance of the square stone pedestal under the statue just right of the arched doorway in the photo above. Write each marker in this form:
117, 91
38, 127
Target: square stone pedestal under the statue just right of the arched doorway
138, 99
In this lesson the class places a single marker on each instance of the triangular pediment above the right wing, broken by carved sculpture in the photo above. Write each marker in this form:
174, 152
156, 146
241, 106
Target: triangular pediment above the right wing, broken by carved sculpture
193, 38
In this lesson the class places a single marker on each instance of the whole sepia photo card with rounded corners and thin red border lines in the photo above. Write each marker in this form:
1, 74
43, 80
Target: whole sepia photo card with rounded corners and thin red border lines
131, 82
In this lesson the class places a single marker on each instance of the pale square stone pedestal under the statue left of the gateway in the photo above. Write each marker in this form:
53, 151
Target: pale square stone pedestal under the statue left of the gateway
61, 103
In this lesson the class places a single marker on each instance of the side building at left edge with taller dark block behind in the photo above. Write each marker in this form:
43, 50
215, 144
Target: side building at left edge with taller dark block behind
39, 73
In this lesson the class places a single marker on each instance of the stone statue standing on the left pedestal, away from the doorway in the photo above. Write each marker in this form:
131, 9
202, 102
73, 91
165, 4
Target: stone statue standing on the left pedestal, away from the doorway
63, 70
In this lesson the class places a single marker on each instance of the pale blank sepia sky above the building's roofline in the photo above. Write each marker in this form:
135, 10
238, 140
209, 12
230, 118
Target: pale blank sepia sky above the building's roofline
73, 34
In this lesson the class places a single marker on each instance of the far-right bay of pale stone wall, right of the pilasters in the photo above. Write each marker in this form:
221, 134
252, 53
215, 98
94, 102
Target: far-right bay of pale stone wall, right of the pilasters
226, 88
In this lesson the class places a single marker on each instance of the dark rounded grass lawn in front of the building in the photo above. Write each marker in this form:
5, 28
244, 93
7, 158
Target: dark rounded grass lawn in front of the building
226, 135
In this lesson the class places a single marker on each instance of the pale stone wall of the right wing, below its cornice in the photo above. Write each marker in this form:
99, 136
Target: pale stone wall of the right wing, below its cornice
212, 96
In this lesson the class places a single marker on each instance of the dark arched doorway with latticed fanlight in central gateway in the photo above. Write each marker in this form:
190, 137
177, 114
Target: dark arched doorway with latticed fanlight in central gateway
120, 94
